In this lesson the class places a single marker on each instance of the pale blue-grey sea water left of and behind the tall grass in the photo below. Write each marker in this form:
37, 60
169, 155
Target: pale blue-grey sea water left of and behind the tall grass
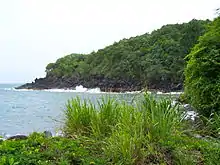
22, 112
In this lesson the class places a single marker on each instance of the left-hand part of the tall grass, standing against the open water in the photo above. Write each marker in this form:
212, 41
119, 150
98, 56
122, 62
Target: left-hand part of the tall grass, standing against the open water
84, 118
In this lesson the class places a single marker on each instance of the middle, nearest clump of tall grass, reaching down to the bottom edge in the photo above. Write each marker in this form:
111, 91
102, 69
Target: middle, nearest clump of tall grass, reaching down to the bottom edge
126, 144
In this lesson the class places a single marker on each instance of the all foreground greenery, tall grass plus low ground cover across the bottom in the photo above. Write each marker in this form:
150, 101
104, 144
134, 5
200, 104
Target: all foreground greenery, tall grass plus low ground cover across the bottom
146, 132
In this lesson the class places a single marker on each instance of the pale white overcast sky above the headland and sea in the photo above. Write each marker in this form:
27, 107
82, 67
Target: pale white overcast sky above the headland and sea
34, 33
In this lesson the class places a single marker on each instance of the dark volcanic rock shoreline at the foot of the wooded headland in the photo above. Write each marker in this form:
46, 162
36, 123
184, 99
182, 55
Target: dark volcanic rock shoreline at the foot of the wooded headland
104, 83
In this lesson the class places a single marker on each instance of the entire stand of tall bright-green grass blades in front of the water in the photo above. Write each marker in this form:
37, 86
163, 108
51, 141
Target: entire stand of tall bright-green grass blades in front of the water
129, 132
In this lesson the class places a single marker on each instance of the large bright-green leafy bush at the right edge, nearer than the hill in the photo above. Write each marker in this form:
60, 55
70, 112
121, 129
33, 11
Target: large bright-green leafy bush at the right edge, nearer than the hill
202, 84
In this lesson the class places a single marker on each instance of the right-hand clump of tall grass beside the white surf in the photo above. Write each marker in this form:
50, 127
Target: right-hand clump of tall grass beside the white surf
161, 118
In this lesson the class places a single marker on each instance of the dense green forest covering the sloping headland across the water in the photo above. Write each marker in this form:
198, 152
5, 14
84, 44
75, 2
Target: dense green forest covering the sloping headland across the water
153, 60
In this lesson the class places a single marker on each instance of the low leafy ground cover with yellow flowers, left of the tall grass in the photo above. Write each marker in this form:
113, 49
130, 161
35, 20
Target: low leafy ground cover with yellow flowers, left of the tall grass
39, 150
